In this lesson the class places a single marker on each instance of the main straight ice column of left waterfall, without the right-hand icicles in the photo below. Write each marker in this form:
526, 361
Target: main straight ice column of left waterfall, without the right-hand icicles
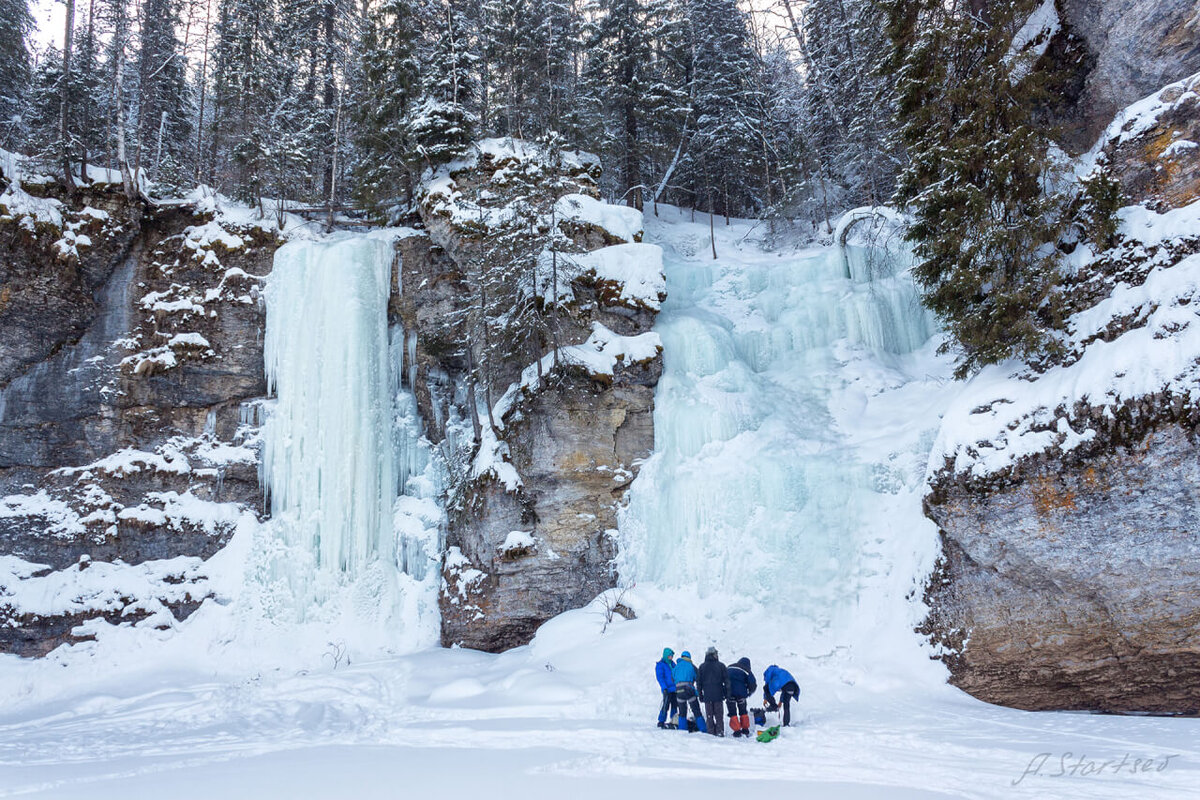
329, 461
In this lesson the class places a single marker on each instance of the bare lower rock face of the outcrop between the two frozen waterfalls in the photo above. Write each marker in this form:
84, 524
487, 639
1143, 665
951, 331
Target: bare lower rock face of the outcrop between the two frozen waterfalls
577, 448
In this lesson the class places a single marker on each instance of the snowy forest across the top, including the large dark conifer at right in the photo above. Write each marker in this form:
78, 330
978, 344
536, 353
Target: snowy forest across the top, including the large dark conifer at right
790, 110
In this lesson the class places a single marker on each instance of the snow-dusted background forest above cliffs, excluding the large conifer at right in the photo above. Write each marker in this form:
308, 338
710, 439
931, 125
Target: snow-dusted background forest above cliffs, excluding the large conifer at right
699, 103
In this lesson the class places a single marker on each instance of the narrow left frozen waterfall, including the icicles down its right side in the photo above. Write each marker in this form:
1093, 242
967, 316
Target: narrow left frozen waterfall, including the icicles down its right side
351, 483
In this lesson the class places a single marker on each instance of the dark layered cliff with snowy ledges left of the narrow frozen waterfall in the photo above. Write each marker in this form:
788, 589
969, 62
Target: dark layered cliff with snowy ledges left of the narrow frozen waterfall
130, 342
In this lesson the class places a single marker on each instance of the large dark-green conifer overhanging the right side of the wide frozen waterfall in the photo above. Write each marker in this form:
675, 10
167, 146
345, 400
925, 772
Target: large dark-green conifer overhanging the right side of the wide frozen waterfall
986, 225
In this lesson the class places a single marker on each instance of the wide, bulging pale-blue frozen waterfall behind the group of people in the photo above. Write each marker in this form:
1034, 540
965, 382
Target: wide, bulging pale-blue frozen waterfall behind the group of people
759, 485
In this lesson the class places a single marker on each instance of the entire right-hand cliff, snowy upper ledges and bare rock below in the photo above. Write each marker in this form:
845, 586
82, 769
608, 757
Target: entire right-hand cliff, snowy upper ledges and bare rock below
1069, 504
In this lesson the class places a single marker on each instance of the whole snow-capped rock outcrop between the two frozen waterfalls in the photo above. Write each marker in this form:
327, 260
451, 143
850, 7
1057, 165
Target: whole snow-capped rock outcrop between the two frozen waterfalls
532, 508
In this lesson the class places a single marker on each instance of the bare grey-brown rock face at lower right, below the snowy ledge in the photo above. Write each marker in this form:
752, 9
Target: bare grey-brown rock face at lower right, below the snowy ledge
1077, 587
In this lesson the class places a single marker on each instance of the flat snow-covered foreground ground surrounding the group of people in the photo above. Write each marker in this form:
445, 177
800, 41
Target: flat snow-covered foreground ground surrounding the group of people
532, 723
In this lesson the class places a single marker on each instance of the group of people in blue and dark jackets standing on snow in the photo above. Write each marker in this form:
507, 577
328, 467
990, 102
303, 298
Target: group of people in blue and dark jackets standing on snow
721, 689
